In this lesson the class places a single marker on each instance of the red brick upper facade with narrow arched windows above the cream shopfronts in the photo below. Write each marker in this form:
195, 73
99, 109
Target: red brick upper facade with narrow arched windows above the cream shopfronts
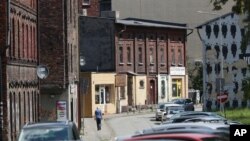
160, 41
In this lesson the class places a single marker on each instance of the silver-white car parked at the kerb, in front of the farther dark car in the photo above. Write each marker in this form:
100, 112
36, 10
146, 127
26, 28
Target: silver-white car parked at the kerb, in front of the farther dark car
165, 109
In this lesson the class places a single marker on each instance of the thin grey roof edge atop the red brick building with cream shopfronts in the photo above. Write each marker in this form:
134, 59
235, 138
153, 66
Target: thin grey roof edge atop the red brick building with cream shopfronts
150, 23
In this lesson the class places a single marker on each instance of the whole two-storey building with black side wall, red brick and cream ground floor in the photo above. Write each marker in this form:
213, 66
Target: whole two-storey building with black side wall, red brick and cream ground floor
131, 62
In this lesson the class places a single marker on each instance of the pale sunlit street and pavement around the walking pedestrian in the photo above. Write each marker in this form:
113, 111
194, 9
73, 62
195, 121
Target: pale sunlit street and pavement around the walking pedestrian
114, 125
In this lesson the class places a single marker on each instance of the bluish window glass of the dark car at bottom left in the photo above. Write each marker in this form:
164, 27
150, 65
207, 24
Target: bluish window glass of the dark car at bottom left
44, 134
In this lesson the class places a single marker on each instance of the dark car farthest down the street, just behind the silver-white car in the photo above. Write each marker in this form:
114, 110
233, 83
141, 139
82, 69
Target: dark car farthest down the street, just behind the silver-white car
186, 102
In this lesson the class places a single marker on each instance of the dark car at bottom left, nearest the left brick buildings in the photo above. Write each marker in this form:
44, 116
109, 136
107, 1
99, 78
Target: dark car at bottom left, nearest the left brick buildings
49, 131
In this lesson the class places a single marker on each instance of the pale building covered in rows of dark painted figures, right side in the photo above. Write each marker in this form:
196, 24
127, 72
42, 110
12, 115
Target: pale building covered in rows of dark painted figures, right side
225, 63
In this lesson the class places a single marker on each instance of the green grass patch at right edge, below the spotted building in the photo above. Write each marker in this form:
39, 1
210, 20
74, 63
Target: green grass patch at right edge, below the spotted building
241, 115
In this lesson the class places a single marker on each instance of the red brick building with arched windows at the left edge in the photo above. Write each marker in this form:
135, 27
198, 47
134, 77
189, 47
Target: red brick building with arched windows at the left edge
19, 95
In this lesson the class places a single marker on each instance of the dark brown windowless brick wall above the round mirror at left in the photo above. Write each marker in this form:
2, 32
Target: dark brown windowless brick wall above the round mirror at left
52, 40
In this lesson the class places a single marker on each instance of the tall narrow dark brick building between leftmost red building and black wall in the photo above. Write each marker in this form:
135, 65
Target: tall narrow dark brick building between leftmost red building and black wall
58, 27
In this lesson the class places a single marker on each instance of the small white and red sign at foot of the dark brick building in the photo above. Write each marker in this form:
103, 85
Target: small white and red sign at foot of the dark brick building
61, 110
